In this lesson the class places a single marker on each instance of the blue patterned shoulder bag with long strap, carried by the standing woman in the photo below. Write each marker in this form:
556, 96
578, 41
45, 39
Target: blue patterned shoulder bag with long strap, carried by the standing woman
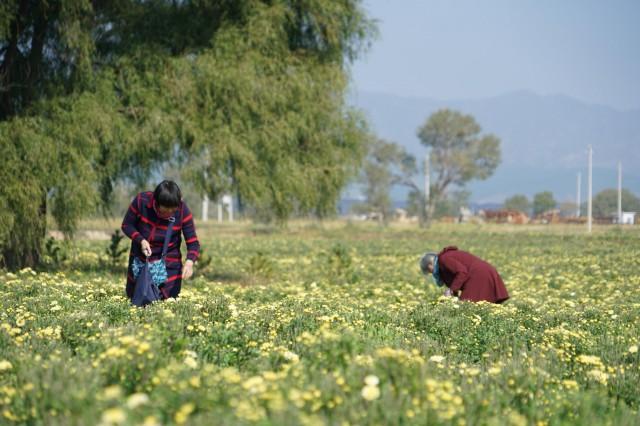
150, 275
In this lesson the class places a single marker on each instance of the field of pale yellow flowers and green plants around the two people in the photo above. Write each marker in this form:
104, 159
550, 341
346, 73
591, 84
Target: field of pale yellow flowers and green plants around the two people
332, 326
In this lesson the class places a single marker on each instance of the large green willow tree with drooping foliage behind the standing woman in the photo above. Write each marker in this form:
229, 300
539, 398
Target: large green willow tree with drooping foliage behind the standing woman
93, 92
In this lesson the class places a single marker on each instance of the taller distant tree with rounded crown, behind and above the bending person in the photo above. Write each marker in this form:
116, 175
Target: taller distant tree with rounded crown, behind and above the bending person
459, 153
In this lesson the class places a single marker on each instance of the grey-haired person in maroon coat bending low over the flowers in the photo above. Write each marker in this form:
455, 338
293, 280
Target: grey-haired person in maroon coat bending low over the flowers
475, 279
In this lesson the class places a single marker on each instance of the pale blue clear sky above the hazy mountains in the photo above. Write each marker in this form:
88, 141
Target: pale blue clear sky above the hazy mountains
465, 49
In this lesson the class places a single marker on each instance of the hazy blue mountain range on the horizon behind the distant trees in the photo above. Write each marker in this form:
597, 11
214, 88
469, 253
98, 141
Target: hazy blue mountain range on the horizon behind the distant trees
544, 139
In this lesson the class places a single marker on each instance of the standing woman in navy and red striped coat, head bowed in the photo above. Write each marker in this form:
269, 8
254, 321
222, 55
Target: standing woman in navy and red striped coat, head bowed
146, 223
